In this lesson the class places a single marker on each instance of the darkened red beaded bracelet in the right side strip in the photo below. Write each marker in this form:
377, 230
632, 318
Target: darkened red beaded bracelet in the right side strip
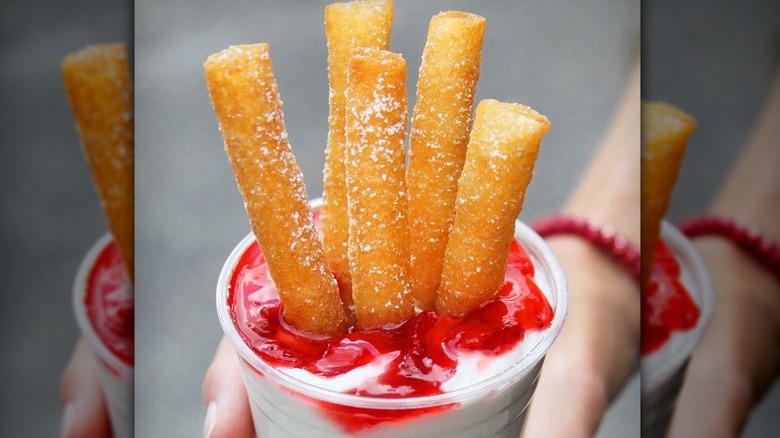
762, 249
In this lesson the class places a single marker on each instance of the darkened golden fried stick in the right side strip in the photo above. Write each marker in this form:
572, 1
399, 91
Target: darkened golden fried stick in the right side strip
665, 132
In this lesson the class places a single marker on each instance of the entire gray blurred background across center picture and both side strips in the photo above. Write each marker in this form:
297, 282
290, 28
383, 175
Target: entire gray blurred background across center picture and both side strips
568, 60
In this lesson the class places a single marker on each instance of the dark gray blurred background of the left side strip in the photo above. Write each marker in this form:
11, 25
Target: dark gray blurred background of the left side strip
49, 211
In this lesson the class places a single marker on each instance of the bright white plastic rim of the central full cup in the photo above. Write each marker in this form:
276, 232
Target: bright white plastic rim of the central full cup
532, 243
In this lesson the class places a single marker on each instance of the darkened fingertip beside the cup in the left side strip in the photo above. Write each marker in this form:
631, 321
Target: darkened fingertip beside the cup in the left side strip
81, 395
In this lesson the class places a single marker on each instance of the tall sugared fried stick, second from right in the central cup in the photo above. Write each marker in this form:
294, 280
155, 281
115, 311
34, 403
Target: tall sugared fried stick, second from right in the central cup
440, 131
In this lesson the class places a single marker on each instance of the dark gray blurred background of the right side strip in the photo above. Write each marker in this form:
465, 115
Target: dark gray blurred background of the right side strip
716, 61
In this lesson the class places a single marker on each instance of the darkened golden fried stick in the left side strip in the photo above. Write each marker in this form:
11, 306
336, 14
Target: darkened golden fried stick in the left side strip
99, 88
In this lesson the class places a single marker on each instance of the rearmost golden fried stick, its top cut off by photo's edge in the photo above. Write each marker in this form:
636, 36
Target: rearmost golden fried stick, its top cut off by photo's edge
347, 25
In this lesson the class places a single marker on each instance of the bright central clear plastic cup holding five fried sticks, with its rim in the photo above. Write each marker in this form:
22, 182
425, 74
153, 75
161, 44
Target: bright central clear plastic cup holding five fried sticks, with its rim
286, 407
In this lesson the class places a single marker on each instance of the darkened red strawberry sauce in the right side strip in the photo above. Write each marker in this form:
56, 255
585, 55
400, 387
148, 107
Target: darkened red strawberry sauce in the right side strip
666, 305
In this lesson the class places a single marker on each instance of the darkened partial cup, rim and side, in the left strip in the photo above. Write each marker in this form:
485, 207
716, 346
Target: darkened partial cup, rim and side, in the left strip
116, 376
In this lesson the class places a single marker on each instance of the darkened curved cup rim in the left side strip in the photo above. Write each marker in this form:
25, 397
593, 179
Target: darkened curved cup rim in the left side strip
79, 308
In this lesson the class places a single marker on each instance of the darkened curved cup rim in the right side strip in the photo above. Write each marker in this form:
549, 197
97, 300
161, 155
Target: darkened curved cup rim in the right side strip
704, 296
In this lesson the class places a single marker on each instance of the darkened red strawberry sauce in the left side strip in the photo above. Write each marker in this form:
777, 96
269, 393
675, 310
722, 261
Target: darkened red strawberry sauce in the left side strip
109, 303
